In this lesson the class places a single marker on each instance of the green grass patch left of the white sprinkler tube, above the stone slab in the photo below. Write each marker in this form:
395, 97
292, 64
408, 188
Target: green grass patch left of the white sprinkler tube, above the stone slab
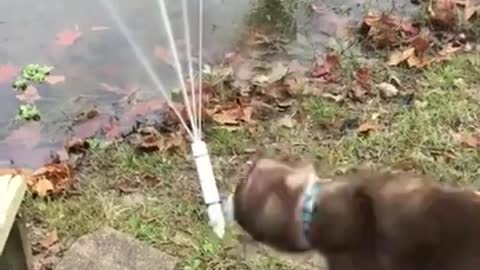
167, 215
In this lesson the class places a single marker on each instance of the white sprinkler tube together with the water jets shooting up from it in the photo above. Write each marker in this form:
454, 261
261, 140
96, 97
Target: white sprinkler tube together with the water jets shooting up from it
210, 194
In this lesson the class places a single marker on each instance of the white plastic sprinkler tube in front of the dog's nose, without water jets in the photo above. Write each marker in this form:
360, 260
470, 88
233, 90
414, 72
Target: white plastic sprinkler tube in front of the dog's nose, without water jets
208, 185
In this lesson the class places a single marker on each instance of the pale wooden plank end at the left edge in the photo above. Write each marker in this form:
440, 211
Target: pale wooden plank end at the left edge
12, 190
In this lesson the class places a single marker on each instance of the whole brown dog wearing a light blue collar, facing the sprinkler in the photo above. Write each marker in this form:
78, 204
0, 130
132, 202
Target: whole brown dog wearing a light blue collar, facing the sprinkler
363, 220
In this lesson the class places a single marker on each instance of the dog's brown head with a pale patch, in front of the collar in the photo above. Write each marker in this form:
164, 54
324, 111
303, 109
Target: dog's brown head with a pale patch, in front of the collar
265, 202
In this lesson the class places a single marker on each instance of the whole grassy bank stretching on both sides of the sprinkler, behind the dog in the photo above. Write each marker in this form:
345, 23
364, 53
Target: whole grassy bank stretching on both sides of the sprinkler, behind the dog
155, 197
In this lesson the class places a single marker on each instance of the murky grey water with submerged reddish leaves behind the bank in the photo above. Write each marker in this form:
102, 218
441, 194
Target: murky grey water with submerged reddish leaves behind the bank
100, 67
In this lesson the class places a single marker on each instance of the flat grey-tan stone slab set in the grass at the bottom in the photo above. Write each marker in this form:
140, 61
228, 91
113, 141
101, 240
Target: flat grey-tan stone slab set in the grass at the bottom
113, 250
